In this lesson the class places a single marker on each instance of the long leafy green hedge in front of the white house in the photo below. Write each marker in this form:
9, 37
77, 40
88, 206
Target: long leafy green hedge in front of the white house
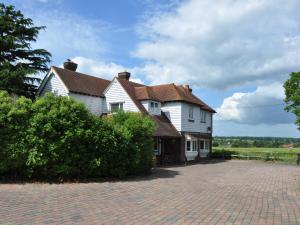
57, 137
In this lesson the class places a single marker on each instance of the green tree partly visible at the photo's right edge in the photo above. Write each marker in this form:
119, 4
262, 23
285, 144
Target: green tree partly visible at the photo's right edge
292, 93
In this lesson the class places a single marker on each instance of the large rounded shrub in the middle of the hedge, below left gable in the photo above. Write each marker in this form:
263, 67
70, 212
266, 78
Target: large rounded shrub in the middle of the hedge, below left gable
58, 138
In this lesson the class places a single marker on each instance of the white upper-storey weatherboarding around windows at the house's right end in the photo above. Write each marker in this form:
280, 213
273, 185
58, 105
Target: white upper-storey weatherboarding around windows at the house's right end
196, 125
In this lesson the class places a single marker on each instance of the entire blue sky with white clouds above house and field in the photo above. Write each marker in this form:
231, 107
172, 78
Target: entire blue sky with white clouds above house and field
235, 54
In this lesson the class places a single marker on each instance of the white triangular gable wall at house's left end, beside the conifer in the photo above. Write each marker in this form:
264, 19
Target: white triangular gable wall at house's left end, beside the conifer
55, 86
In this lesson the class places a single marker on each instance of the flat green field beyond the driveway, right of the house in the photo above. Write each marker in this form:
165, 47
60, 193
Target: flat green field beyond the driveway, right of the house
268, 154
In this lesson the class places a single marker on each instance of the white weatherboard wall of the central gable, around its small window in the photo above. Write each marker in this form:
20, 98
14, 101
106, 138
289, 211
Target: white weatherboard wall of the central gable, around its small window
116, 94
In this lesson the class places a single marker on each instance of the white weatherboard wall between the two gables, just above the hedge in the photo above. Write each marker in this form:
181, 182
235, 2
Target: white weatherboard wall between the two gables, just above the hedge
92, 103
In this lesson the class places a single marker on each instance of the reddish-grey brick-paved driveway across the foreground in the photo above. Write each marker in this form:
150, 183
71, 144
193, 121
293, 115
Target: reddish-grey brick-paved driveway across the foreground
232, 192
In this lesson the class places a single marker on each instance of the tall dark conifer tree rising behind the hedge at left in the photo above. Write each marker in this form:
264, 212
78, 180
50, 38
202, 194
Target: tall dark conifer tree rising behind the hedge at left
18, 61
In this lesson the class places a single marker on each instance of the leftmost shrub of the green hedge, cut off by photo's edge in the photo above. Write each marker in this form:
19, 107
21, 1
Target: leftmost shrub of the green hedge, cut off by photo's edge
14, 121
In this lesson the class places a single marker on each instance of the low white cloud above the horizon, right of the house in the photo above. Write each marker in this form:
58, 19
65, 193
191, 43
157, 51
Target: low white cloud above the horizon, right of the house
263, 106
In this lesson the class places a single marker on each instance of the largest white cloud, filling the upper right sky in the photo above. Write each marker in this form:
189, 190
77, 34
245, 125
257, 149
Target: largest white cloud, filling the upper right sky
222, 44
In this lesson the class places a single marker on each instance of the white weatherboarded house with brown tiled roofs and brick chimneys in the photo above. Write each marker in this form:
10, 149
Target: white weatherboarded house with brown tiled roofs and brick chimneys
183, 121
